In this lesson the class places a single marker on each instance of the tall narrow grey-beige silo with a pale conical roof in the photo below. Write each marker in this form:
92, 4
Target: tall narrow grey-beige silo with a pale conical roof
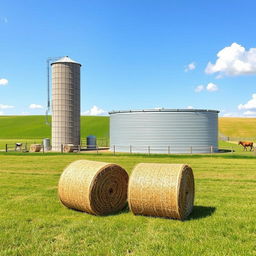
65, 103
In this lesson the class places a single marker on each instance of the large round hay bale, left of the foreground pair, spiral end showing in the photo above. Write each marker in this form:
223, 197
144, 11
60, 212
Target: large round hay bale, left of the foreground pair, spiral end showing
94, 187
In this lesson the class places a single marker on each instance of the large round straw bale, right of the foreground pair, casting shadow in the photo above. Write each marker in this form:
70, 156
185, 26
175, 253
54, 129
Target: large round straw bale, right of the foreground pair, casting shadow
162, 190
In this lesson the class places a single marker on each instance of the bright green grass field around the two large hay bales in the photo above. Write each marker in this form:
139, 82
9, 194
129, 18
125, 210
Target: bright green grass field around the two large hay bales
34, 222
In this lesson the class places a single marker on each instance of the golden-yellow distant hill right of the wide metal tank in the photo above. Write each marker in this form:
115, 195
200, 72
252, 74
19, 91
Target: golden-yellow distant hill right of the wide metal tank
237, 127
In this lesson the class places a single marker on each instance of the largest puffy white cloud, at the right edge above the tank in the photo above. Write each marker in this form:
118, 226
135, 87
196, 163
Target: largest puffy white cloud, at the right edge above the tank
233, 60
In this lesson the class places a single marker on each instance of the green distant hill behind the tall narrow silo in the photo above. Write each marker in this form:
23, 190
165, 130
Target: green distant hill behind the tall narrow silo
30, 127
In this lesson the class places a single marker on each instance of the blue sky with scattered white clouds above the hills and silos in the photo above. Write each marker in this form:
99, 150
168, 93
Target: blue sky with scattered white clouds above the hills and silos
134, 54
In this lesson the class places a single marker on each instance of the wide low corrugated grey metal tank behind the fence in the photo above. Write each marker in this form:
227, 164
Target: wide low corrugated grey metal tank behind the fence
164, 131
